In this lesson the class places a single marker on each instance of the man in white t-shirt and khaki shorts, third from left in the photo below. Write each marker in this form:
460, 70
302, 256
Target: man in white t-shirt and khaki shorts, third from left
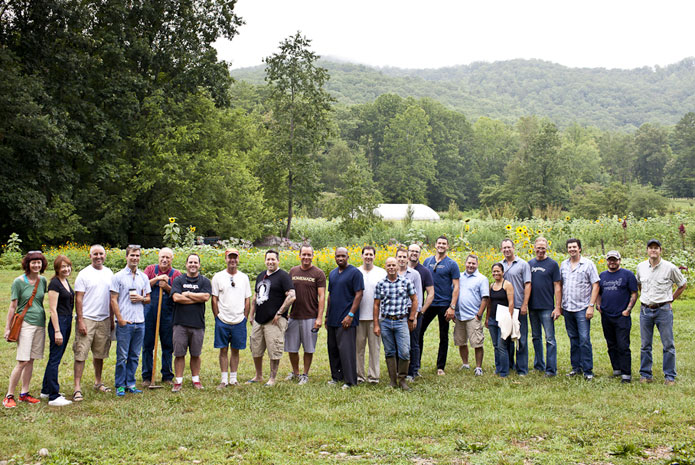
94, 319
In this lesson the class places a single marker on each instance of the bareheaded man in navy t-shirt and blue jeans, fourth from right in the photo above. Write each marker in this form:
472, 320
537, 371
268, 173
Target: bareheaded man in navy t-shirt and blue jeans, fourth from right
544, 306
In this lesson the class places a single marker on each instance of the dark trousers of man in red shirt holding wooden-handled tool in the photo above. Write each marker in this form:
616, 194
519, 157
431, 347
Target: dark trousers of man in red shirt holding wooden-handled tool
165, 336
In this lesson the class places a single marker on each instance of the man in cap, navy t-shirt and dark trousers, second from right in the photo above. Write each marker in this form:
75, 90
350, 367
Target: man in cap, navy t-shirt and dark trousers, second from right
617, 295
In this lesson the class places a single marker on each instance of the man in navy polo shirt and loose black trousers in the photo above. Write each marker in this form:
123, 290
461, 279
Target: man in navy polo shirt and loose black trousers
345, 286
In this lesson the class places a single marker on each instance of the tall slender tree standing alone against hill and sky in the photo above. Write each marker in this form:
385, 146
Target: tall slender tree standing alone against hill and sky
299, 126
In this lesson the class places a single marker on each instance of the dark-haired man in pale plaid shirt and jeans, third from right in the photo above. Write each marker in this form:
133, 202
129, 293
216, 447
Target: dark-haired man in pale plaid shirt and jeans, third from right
579, 292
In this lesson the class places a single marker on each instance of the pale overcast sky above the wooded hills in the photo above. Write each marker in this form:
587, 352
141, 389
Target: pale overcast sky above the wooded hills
433, 34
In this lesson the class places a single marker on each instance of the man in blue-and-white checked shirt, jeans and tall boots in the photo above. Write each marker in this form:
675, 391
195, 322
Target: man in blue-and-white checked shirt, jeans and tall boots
394, 301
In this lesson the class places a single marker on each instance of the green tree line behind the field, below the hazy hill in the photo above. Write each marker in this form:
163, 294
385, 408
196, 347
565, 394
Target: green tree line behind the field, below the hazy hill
116, 116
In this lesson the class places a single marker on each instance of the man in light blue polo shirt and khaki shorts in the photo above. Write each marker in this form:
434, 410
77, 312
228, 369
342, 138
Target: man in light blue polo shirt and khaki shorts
474, 292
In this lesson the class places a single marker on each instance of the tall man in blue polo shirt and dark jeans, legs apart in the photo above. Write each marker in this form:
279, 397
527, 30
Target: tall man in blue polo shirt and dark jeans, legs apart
445, 274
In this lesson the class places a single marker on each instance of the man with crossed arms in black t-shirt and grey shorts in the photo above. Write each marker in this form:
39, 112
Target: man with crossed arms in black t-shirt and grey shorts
189, 293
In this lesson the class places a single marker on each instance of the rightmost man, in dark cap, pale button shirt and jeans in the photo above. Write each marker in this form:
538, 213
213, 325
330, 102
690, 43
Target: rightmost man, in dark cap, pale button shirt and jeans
656, 278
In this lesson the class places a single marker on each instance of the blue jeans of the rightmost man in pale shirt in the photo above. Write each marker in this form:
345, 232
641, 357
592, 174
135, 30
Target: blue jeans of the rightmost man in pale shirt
662, 317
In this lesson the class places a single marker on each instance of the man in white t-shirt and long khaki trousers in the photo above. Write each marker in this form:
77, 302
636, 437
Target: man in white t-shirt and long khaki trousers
365, 330
